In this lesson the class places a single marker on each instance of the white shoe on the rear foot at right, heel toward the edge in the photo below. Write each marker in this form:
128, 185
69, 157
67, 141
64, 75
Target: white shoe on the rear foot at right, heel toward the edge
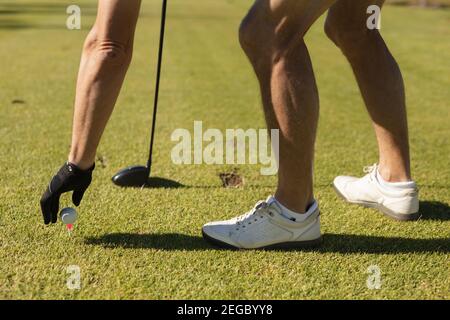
397, 200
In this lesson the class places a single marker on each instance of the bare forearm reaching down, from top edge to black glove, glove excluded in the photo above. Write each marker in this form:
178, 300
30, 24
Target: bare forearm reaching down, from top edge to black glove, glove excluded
105, 60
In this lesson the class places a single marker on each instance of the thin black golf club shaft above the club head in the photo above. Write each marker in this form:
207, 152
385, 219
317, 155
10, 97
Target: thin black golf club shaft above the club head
158, 77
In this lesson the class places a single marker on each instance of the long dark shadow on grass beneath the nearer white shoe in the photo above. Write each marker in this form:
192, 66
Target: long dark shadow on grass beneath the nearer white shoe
332, 243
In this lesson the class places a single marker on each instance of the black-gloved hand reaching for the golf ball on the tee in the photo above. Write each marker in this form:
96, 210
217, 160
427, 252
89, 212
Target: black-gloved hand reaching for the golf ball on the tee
68, 178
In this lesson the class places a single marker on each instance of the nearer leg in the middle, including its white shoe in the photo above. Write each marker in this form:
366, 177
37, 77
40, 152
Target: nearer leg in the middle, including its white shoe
272, 37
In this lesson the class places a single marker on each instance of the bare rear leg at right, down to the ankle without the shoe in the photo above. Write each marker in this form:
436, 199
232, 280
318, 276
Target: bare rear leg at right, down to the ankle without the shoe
380, 81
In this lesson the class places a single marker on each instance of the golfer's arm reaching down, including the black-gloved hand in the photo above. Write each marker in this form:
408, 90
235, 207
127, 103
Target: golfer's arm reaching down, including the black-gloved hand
106, 57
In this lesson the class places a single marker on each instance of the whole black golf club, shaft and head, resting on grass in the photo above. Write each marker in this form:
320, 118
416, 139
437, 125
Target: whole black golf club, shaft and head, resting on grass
138, 176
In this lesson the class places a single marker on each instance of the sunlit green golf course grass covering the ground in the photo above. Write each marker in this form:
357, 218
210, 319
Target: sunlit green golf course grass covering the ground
146, 243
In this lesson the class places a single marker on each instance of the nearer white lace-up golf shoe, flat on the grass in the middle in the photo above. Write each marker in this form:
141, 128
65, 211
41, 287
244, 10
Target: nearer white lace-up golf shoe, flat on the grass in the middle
266, 227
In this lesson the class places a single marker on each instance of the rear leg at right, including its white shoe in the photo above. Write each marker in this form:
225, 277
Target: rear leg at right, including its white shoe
387, 187
